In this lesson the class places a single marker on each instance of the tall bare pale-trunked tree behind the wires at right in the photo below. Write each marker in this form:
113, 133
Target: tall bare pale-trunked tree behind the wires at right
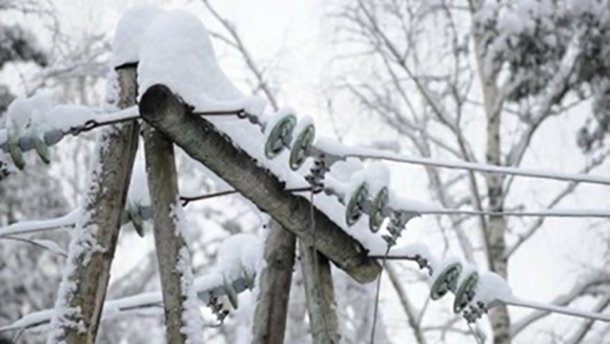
437, 69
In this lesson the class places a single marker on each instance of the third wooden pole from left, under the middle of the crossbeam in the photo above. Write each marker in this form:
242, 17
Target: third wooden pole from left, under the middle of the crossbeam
275, 279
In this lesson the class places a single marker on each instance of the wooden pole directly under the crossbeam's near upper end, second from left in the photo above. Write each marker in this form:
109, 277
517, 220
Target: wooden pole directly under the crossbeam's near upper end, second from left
172, 252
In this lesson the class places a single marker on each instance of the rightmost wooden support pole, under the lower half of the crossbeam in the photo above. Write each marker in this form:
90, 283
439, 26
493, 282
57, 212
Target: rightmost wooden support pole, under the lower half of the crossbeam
320, 295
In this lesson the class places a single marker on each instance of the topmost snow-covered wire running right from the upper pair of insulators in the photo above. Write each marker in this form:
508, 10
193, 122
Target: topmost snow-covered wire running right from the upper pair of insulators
342, 151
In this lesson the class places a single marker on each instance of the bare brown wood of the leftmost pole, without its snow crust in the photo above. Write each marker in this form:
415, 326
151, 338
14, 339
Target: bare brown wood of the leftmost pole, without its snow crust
105, 204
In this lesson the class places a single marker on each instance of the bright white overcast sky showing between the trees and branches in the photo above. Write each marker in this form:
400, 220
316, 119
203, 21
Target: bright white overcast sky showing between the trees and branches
294, 38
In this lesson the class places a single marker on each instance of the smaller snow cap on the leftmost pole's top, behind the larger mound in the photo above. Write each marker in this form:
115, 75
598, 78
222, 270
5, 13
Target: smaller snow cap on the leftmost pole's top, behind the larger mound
129, 30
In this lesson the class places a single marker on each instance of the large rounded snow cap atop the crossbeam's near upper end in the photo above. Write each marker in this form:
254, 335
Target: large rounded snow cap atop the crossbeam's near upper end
176, 51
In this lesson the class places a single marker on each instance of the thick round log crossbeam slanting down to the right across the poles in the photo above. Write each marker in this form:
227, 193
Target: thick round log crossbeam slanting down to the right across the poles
198, 138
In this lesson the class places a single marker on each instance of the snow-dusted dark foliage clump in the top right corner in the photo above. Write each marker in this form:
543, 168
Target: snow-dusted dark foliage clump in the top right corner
530, 38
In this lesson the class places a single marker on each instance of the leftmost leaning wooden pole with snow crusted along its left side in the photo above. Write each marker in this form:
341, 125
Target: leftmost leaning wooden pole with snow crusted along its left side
83, 288
